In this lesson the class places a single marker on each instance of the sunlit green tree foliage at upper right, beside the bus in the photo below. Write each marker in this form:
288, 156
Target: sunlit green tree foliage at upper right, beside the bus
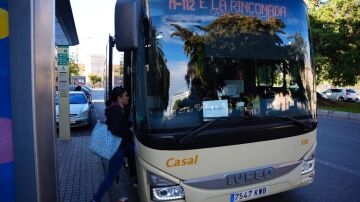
335, 28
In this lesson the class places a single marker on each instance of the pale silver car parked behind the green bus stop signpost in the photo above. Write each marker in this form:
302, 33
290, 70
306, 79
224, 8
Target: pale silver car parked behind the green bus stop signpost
79, 109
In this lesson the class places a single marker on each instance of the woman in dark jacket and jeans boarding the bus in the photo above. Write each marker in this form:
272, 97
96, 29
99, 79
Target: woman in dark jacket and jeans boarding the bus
119, 126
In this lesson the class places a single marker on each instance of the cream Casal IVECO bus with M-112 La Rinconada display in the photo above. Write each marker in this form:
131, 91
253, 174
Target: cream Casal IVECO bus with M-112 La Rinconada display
223, 97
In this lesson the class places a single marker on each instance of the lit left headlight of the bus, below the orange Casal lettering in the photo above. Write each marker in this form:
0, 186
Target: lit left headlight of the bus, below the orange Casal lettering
163, 189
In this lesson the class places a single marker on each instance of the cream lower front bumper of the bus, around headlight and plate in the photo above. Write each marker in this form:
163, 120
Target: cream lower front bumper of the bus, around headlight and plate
290, 180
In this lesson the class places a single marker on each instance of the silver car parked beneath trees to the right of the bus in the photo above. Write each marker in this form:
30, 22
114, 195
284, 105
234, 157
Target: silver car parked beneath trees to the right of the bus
342, 94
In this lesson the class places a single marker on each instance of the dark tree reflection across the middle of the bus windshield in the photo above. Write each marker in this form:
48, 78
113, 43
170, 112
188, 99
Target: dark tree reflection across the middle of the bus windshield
241, 38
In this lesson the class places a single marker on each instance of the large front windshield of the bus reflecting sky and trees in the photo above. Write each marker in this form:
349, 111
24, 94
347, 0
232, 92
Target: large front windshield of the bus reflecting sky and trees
206, 59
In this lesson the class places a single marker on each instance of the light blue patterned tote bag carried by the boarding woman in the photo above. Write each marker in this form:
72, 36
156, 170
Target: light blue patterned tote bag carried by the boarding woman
102, 142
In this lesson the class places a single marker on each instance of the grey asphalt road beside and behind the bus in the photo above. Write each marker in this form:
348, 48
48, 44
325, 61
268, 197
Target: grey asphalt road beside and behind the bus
337, 165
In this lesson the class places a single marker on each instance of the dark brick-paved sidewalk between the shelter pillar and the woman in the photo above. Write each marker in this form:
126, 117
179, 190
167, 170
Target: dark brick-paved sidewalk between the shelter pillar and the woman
79, 172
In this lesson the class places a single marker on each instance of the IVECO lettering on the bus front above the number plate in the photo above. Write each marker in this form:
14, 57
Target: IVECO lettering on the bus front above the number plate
250, 176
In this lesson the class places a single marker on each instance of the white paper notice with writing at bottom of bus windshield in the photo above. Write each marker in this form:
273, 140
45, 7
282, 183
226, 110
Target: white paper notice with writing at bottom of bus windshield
215, 108
